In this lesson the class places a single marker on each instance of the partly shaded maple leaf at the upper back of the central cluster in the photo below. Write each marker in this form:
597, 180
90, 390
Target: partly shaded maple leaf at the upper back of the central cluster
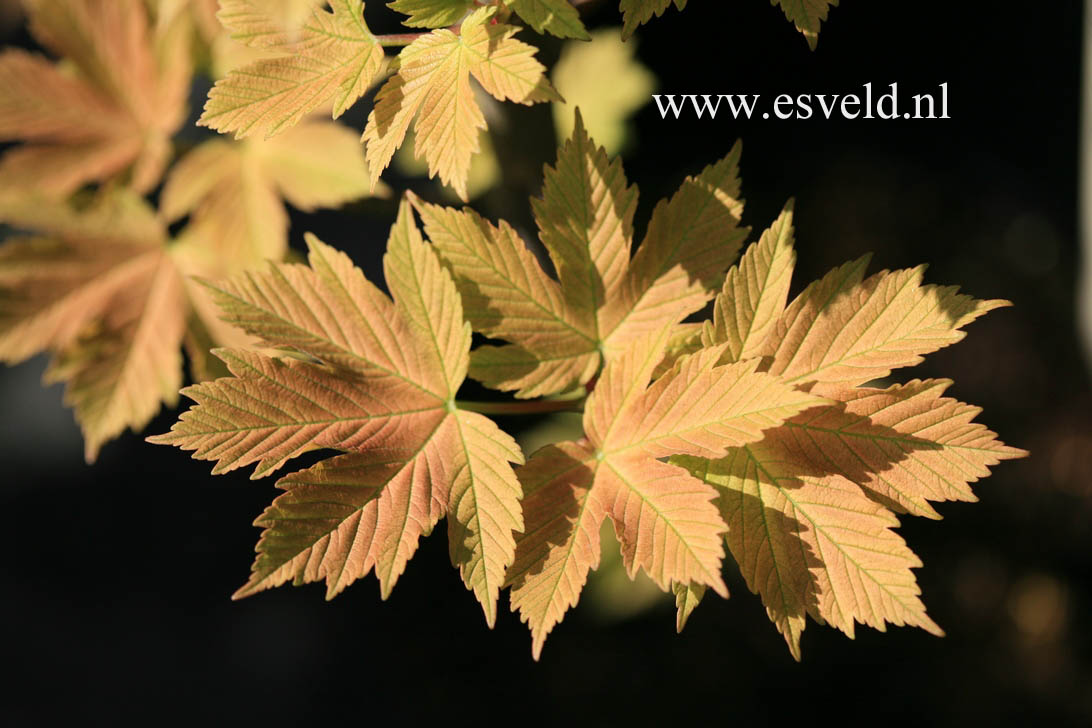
562, 332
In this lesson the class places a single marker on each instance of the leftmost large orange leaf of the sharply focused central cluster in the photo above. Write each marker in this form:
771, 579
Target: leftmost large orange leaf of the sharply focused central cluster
379, 385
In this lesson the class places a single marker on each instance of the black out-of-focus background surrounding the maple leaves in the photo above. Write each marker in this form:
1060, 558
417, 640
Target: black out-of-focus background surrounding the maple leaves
117, 577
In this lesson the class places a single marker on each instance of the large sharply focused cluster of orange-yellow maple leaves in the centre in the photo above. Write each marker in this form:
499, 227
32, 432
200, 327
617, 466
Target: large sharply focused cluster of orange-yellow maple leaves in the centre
758, 433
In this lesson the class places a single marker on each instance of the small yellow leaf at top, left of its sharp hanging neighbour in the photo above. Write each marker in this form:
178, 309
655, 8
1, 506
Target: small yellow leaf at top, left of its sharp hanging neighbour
331, 58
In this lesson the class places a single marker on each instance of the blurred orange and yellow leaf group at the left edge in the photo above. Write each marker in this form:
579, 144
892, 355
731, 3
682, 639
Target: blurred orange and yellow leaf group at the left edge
98, 280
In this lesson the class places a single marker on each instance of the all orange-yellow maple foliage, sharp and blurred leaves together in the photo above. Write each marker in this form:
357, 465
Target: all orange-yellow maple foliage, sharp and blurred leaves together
720, 417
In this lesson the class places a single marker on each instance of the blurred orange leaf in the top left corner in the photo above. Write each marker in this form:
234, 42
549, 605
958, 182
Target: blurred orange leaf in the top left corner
113, 114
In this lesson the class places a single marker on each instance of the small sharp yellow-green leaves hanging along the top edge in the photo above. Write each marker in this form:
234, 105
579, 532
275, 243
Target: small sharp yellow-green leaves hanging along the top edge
334, 58
